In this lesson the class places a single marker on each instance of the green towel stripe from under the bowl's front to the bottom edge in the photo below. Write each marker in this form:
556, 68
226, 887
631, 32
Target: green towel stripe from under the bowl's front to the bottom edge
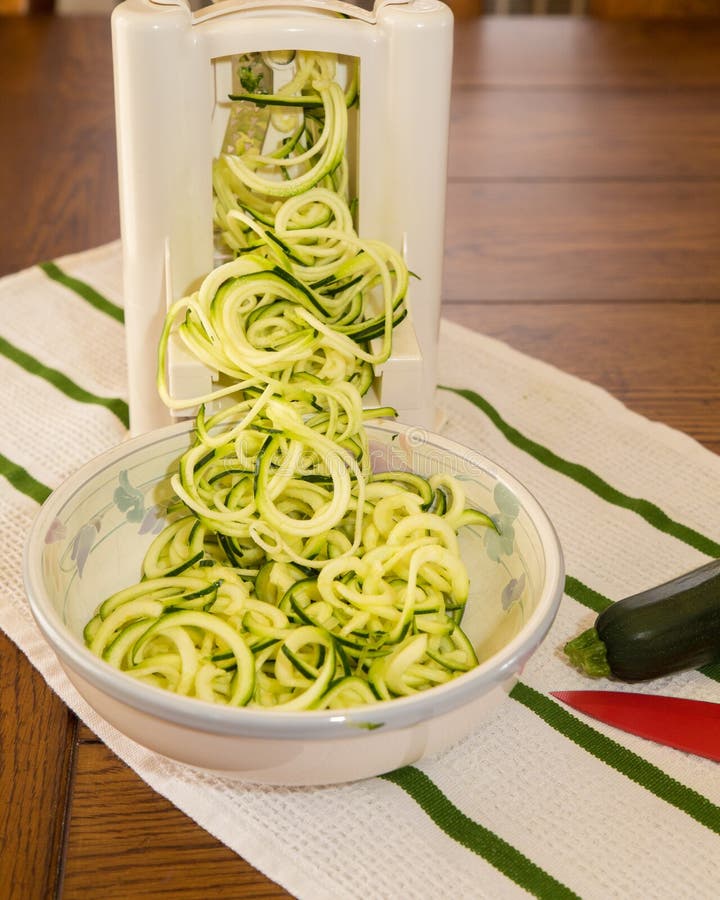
480, 840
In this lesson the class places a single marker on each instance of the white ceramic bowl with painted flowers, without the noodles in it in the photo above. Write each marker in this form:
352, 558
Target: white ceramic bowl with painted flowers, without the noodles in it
90, 536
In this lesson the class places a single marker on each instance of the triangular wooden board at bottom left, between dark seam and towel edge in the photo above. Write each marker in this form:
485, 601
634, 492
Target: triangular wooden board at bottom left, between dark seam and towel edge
142, 846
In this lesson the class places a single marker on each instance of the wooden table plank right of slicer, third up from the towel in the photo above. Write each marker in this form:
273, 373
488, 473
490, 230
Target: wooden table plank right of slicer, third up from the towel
603, 134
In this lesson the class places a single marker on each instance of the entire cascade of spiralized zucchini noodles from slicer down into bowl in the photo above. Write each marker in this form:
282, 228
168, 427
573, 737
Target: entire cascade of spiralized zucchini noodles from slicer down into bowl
291, 575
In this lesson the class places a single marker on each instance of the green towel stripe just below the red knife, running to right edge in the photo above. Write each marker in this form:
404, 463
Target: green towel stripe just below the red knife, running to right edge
620, 758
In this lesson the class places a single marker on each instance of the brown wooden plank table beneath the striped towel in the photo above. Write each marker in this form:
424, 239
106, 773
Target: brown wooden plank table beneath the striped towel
583, 228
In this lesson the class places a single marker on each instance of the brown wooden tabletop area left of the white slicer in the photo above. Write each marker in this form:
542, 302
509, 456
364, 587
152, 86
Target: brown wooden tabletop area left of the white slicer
58, 179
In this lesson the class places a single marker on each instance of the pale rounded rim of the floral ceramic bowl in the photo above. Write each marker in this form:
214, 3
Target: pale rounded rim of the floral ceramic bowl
291, 724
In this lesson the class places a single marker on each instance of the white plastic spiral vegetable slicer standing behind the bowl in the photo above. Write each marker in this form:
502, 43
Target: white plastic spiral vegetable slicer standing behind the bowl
174, 70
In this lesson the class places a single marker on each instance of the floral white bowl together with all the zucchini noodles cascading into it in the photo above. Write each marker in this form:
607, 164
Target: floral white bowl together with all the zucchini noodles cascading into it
286, 588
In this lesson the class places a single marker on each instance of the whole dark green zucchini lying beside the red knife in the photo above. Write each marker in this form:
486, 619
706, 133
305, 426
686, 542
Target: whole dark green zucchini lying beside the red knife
665, 629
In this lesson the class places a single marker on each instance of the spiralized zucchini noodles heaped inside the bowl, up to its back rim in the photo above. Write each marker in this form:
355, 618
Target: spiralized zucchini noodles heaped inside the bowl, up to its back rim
290, 576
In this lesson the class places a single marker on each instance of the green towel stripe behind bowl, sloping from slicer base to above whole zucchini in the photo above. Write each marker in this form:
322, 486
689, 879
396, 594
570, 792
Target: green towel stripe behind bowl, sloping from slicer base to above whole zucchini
593, 482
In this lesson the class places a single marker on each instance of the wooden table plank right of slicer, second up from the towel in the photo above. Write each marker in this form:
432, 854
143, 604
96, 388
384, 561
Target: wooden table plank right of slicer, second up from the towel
583, 240
